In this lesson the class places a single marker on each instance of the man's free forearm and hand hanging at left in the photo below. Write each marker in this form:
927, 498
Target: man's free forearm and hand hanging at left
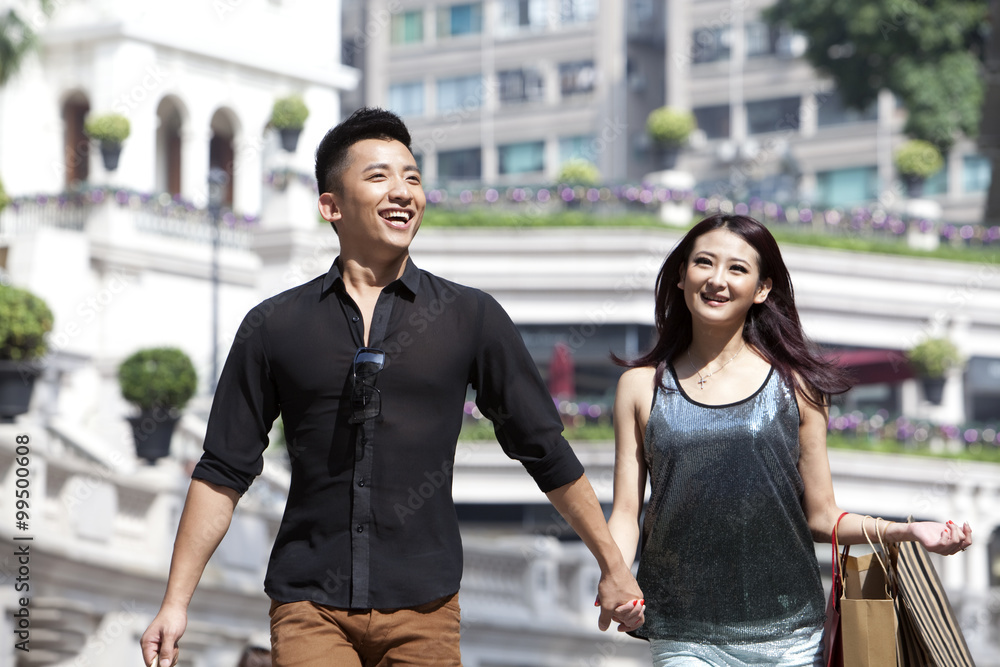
208, 511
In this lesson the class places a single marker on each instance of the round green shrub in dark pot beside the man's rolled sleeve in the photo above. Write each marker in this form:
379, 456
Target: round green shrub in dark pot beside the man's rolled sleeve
159, 381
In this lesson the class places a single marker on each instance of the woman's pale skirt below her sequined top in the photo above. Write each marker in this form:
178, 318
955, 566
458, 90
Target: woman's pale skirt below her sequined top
803, 648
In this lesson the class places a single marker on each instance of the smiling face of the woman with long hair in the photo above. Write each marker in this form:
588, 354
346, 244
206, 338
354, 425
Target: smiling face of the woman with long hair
721, 279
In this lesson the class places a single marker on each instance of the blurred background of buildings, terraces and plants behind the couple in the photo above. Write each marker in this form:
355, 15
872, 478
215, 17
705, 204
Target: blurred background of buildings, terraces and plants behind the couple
156, 165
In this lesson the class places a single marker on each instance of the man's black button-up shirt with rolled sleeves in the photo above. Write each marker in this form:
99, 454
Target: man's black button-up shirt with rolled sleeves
370, 521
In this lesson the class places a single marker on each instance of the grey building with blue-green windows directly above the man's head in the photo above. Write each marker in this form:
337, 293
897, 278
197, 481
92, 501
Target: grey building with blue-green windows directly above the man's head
505, 91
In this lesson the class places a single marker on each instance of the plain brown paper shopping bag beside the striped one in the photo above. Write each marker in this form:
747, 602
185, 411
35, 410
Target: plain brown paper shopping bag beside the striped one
868, 625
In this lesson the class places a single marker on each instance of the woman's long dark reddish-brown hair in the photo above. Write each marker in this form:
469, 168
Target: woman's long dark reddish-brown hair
773, 327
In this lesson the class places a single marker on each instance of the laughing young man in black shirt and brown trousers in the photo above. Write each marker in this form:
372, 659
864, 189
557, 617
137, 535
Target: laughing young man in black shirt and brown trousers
357, 576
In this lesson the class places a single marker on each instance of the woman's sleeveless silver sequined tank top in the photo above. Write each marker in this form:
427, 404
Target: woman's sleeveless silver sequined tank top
727, 555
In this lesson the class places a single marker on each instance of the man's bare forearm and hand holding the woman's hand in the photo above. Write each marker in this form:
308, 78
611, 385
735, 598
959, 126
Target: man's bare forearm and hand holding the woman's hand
617, 590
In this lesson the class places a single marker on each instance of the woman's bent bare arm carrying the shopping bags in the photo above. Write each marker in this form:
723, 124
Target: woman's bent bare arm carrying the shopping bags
821, 507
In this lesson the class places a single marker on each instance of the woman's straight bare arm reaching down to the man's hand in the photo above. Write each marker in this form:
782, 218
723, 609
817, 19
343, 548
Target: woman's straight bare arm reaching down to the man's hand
631, 411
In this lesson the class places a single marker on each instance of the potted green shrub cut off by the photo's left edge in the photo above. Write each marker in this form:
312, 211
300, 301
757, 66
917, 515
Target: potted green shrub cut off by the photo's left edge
25, 320
